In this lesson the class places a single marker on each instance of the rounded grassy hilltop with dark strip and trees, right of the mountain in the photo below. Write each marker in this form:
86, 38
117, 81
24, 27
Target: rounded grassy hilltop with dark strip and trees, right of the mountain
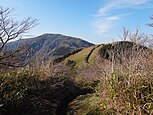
104, 51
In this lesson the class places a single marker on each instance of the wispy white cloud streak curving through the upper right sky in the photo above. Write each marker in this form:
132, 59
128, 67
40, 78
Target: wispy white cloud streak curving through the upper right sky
105, 22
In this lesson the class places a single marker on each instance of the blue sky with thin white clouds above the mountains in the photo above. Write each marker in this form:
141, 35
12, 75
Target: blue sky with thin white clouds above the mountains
97, 21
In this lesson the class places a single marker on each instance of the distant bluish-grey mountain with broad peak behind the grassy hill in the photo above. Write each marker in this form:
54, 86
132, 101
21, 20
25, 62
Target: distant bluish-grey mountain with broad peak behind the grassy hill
49, 46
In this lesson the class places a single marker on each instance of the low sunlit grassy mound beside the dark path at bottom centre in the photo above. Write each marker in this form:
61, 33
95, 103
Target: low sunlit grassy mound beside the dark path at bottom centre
86, 105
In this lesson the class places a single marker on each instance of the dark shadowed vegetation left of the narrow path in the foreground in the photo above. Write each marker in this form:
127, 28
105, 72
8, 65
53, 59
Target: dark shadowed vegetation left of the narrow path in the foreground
34, 92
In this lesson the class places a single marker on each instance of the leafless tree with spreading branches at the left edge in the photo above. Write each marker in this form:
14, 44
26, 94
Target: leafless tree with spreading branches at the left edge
11, 29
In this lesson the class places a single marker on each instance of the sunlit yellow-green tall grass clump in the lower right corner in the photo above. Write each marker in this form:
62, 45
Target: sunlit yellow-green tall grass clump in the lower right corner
125, 98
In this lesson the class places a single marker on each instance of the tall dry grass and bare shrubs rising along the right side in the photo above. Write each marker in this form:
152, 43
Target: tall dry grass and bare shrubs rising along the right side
128, 85
